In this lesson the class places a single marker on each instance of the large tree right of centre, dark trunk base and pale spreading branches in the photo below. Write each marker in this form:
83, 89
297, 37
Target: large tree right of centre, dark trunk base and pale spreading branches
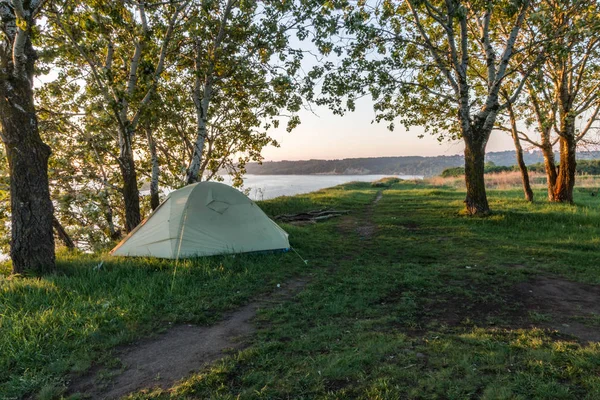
436, 64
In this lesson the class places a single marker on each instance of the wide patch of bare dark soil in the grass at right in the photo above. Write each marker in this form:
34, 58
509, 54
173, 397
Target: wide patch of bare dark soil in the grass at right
552, 303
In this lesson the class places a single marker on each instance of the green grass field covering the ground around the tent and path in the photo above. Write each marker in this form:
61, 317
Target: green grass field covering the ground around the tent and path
408, 298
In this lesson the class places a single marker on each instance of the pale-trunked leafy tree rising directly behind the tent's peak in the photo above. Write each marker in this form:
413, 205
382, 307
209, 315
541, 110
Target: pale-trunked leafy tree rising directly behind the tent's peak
243, 61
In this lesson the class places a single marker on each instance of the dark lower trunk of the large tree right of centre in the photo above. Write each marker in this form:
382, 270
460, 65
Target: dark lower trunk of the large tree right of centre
476, 201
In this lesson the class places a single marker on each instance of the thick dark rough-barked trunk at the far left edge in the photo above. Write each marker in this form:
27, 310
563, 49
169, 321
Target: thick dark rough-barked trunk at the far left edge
32, 241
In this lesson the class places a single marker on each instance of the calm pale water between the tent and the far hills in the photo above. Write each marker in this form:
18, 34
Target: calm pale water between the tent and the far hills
263, 187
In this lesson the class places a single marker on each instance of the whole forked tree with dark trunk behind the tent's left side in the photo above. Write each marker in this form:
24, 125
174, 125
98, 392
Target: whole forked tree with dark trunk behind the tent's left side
113, 46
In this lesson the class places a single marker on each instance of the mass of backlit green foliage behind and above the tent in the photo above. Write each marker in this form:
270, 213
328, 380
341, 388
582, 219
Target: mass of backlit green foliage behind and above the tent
110, 87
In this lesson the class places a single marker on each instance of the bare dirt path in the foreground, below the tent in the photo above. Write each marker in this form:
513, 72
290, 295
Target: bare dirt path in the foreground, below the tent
161, 361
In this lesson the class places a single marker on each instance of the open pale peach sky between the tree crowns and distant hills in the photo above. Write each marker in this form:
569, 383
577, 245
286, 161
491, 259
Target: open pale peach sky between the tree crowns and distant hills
328, 136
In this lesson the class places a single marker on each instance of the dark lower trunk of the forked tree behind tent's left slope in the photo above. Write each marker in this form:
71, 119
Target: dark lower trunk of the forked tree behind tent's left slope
131, 194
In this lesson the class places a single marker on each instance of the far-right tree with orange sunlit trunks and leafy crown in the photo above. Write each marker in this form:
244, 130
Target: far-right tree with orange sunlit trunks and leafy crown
563, 89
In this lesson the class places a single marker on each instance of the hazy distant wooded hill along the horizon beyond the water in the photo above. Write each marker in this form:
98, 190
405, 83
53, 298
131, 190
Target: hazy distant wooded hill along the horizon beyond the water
406, 165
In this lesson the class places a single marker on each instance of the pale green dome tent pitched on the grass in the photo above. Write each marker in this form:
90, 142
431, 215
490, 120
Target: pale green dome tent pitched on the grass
203, 219
